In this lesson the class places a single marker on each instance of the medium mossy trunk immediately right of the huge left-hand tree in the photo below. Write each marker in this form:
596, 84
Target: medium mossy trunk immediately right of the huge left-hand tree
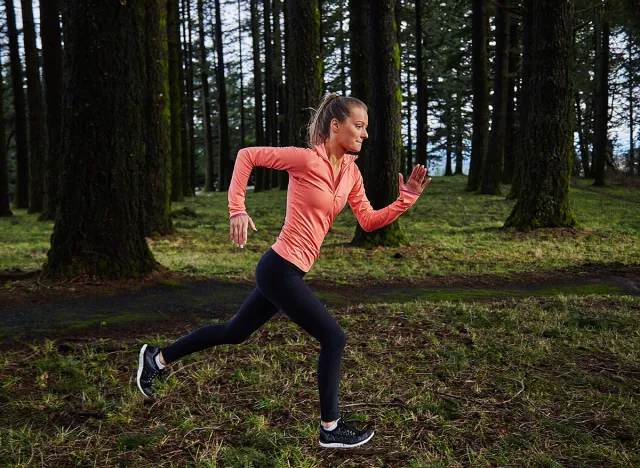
156, 127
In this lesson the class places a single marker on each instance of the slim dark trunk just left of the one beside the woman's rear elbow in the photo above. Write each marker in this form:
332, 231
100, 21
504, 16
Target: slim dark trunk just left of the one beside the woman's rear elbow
209, 185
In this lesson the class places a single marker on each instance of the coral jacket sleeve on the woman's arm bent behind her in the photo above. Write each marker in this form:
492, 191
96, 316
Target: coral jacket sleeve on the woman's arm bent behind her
291, 159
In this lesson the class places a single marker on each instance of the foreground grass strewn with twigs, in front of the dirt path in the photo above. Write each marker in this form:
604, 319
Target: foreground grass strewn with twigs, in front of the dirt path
516, 382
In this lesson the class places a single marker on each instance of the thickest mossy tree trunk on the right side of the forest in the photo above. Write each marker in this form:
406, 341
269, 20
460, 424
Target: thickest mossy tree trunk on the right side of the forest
548, 139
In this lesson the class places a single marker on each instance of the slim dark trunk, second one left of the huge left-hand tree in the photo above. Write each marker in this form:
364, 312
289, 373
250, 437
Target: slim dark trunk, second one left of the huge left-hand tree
37, 127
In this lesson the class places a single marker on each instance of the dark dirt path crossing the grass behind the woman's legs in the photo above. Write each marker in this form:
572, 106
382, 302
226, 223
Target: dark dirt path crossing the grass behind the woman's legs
184, 302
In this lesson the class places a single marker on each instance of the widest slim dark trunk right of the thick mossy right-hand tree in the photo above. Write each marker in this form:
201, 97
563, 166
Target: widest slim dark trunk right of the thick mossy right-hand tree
602, 105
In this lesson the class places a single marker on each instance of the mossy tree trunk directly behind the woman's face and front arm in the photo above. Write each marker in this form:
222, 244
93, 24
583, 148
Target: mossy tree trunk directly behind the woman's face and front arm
381, 168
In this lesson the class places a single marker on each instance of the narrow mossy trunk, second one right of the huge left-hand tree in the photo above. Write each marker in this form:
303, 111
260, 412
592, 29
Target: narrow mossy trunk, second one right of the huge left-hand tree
173, 38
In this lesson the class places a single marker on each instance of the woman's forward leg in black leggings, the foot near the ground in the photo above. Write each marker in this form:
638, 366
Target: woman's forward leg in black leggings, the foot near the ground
290, 293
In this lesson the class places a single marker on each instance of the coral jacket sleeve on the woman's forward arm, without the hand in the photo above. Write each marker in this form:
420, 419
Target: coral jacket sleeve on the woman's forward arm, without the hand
371, 219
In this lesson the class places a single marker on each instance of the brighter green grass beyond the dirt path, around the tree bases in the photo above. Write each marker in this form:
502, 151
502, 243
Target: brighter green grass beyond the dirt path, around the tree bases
451, 232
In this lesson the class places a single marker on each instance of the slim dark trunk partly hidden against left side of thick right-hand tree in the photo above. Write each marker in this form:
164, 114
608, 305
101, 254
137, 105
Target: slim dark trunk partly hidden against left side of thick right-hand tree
519, 154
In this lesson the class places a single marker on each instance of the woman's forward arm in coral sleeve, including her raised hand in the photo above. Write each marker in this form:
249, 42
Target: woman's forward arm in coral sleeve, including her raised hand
371, 219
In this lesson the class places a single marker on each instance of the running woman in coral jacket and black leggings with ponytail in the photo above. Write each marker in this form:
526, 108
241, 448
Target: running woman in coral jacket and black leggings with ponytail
322, 180
